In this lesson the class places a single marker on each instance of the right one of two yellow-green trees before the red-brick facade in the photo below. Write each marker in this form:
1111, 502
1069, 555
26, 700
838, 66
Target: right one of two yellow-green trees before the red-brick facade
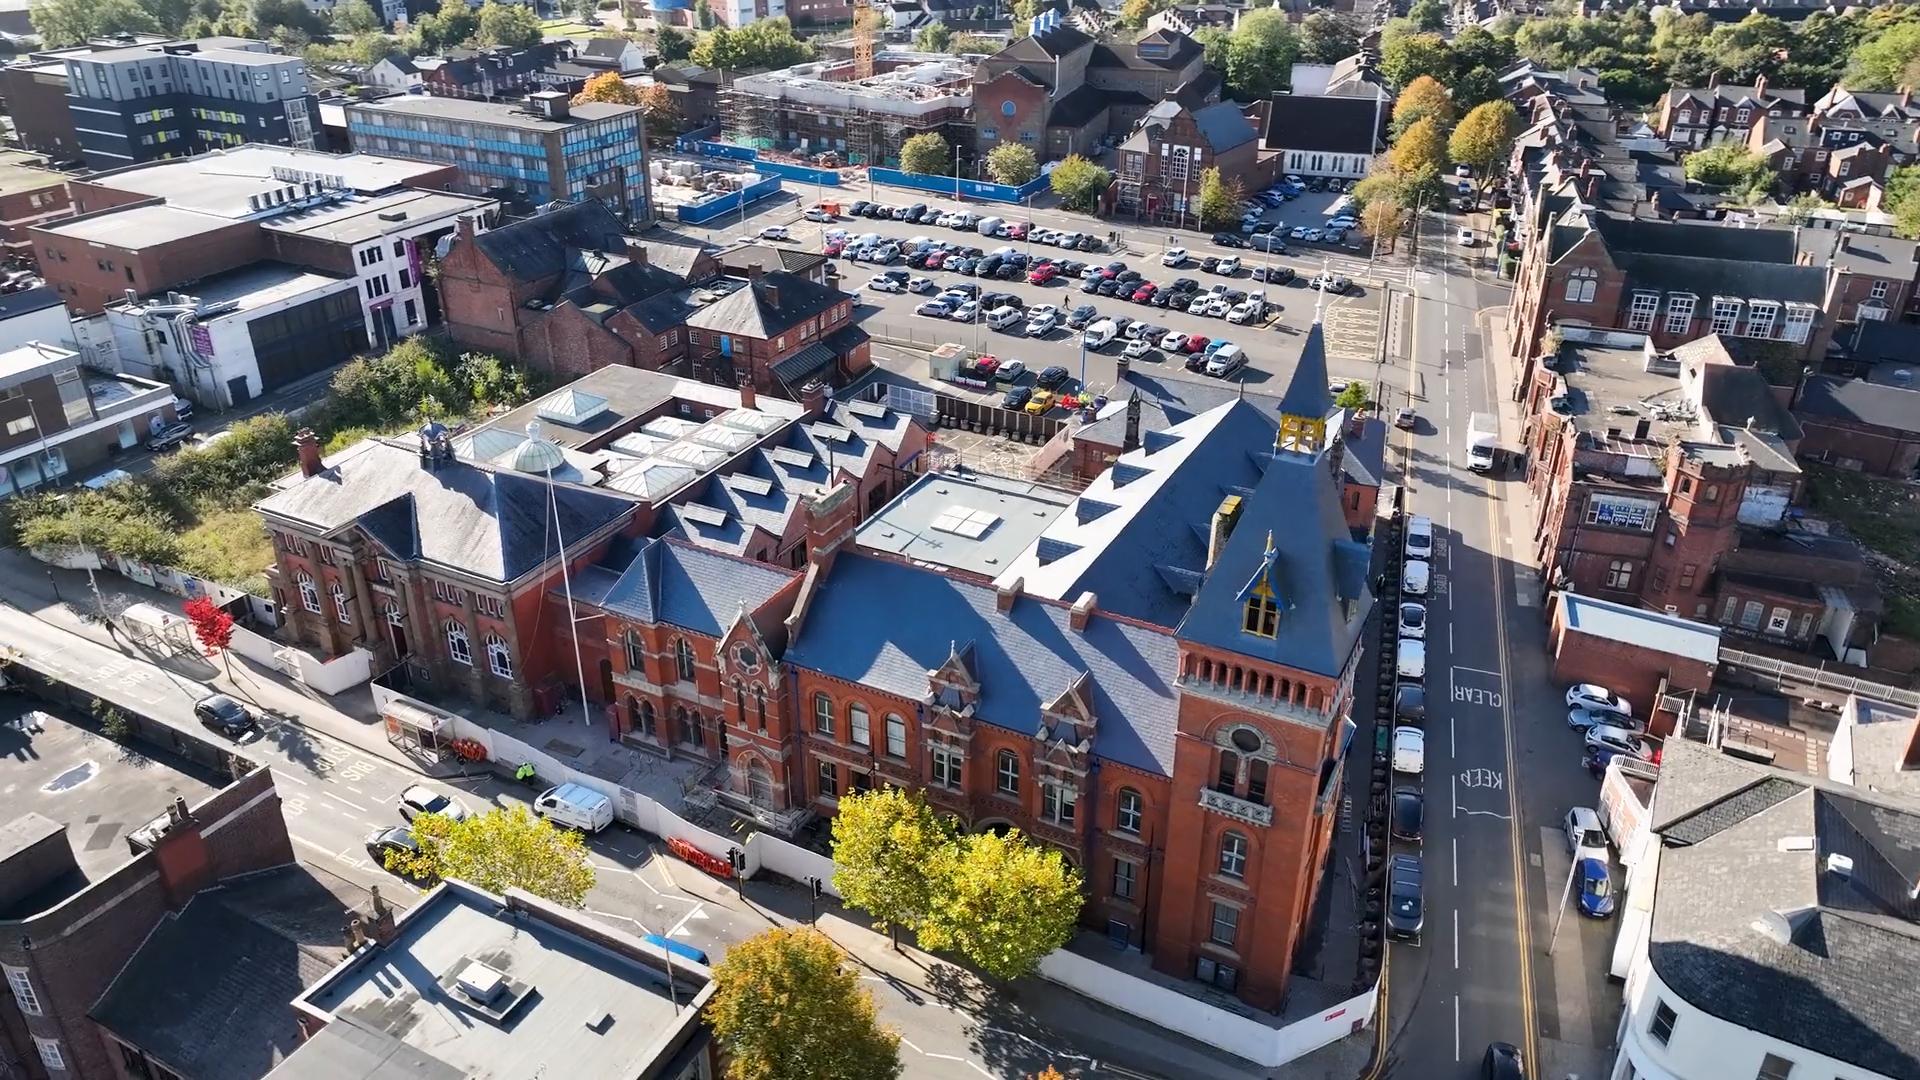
1005, 904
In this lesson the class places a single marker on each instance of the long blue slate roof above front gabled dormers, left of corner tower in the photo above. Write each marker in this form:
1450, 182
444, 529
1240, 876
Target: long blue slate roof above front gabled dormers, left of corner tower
1022, 658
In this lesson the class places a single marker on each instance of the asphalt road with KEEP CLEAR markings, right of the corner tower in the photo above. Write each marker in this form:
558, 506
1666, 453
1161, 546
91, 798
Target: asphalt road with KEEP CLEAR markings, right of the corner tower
1500, 764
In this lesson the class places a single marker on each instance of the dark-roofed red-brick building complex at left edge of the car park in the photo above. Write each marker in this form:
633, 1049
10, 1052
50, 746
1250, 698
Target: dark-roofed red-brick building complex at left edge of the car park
569, 293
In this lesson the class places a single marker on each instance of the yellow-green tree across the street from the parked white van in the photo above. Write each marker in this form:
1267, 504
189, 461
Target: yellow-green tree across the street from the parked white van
500, 850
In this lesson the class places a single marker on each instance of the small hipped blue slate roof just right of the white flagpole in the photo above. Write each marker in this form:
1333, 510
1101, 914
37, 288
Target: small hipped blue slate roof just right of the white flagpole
688, 587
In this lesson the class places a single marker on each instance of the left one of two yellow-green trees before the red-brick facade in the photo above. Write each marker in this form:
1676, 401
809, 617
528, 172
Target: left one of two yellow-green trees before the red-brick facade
888, 850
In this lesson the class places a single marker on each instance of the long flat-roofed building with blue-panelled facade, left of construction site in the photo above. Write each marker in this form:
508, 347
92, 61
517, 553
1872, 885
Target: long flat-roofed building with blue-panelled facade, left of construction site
539, 151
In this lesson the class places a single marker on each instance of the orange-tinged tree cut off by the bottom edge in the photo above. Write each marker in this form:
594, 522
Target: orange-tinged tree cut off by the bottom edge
786, 1008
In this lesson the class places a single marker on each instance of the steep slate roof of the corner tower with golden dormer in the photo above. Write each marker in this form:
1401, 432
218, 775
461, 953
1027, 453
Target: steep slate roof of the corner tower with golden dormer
1320, 574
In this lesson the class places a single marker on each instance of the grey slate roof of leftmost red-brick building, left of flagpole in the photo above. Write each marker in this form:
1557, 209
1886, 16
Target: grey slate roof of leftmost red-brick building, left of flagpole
491, 524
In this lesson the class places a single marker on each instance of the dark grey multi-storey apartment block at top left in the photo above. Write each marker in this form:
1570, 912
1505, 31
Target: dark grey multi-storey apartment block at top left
181, 99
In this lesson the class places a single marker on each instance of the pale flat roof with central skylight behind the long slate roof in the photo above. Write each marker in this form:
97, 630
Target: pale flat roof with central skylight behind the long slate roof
967, 522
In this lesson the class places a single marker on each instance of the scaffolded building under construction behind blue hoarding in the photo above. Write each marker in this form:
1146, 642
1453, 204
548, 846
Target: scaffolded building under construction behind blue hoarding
828, 114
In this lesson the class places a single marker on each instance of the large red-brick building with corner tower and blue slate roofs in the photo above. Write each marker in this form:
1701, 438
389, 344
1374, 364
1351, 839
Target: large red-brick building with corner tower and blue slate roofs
1153, 675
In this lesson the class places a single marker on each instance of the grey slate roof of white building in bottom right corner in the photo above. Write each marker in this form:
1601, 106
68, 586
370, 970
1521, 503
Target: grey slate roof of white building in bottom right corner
1754, 925
